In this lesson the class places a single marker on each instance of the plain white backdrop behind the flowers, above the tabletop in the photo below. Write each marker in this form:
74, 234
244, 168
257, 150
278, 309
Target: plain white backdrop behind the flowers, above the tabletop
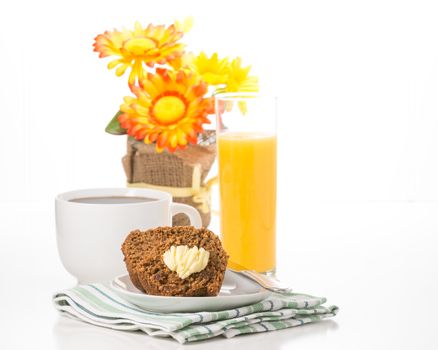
358, 82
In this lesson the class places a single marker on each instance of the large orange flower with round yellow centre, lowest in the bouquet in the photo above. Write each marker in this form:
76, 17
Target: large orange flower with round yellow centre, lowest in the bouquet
169, 109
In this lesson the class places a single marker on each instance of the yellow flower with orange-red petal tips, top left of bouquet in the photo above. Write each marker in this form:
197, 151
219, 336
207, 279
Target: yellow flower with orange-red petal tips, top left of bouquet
139, 47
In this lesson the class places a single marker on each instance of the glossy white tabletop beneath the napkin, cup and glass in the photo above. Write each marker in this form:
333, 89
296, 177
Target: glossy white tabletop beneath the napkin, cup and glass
377, 261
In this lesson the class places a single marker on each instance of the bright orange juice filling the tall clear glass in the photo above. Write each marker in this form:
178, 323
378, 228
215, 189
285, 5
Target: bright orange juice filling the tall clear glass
247, 175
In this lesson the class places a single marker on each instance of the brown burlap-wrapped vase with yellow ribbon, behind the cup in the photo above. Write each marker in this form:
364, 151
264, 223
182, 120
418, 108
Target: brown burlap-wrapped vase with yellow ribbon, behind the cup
182, 173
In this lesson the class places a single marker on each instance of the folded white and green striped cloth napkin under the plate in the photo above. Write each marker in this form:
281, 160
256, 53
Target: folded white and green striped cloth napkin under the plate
98, 305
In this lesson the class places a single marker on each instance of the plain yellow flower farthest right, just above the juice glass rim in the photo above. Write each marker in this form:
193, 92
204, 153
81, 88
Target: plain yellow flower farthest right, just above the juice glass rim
239, 79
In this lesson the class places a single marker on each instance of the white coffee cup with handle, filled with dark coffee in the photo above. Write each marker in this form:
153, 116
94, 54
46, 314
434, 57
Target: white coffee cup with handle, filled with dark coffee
90, 236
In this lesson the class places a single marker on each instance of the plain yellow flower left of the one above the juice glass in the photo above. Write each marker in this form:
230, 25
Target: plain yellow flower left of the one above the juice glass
214, 71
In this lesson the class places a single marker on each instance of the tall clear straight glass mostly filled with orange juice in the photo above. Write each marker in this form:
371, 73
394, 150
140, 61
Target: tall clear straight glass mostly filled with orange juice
247, 149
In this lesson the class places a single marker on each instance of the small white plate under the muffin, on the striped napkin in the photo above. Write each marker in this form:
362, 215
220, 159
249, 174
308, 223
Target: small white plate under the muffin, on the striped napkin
236, 291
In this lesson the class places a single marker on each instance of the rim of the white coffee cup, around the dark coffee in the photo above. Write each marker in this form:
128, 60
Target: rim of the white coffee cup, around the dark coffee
159, 196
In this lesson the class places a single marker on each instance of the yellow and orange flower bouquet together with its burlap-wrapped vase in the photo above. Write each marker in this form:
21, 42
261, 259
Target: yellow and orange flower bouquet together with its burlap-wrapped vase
172, 98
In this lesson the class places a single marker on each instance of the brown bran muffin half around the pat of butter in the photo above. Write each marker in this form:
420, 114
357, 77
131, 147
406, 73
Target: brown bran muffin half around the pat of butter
144, 251
